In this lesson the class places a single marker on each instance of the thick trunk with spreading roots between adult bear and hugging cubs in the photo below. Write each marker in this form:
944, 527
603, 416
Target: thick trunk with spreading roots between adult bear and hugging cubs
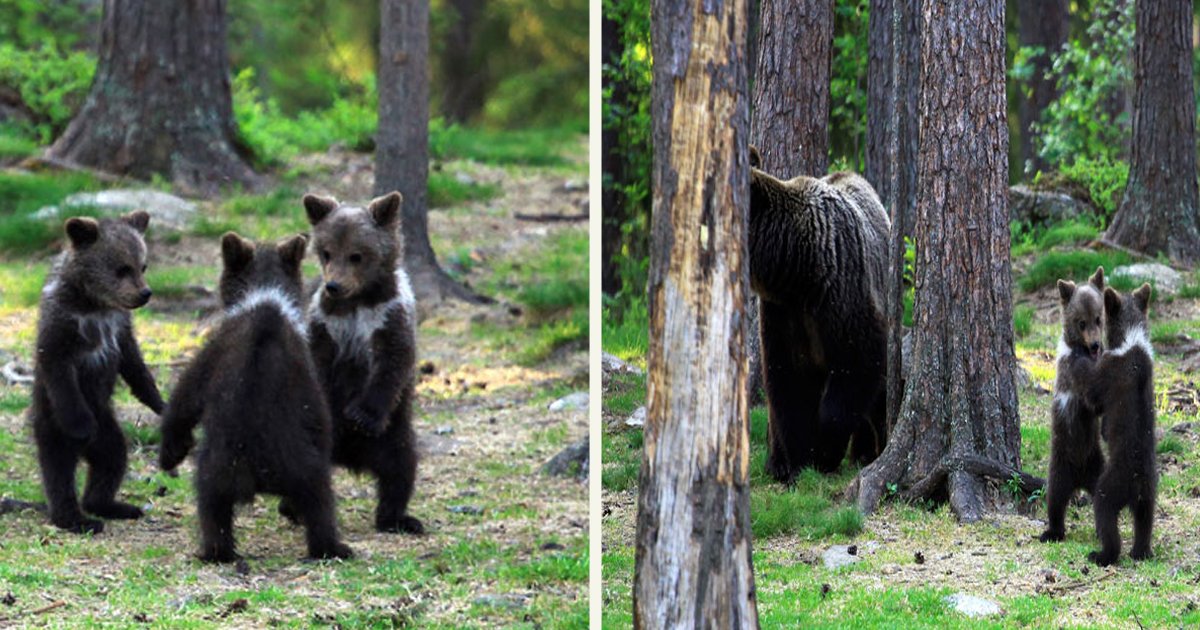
961, 401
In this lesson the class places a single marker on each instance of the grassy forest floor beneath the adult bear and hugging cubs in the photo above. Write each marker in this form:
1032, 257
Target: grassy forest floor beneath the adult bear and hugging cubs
911, 559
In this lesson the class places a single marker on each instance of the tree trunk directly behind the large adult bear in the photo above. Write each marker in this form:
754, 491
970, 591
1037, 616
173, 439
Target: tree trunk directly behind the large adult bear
791, 109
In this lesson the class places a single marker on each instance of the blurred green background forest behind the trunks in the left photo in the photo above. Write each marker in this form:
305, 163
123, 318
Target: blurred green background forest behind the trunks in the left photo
304, 71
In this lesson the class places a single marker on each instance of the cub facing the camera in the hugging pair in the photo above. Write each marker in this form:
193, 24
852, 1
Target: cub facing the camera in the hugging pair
1076, 457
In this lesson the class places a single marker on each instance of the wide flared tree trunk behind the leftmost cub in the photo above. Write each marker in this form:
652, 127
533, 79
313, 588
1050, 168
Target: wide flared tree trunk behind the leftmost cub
160, 103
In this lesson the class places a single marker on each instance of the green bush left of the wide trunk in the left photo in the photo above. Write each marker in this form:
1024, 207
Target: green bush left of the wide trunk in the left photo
52, 85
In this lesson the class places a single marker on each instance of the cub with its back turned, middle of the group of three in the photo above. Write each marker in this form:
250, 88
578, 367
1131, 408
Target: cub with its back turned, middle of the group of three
254, 387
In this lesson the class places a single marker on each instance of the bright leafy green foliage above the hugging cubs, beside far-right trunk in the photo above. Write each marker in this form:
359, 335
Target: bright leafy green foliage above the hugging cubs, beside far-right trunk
1093, 74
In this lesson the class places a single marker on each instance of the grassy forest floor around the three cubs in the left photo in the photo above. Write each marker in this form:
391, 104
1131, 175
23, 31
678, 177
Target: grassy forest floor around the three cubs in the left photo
507, 544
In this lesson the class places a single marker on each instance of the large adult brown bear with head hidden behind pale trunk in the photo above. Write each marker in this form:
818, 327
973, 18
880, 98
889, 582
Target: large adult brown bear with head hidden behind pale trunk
818, 259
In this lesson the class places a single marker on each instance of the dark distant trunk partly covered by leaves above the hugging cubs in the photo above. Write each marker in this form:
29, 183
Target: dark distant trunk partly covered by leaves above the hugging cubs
1046, 25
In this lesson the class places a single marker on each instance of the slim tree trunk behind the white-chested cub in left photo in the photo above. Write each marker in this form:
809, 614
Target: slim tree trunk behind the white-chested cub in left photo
403, 143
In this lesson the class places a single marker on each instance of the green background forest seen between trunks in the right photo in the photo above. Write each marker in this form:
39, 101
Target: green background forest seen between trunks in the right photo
1070, 117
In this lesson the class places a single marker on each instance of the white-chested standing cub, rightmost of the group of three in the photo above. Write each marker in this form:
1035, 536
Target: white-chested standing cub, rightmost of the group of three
363, 335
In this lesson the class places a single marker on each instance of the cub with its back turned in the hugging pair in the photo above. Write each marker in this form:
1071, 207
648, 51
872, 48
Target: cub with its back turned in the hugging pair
1121, 387
